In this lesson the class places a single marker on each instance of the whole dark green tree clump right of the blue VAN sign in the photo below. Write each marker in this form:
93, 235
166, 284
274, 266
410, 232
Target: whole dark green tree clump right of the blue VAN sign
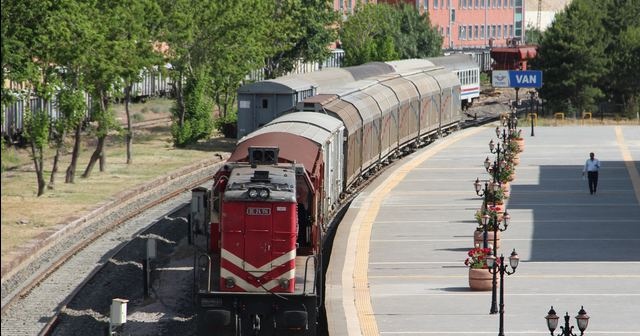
590, 54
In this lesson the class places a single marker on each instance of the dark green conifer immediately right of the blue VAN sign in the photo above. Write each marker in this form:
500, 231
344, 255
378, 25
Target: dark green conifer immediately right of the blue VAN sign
572, 56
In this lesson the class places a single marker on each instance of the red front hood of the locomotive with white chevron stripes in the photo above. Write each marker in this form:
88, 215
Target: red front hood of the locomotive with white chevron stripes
258, 235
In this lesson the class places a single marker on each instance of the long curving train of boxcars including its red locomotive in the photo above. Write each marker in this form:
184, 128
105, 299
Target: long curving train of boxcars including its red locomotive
260, 226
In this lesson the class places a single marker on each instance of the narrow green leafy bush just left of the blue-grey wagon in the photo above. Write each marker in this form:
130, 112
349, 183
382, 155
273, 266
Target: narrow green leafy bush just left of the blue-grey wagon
197, 123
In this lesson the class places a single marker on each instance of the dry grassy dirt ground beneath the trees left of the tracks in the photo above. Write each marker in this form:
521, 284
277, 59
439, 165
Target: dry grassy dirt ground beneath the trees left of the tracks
26, 217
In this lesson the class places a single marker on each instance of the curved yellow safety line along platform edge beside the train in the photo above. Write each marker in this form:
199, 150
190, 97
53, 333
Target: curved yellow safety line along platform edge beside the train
367, 215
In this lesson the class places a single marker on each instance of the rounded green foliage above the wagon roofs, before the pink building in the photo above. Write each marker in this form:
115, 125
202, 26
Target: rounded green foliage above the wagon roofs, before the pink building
382, 32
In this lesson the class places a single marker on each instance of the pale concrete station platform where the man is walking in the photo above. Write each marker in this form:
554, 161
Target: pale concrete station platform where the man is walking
397, 265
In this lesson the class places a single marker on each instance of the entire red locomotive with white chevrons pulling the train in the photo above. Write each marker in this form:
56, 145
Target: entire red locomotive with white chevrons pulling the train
250, 280
